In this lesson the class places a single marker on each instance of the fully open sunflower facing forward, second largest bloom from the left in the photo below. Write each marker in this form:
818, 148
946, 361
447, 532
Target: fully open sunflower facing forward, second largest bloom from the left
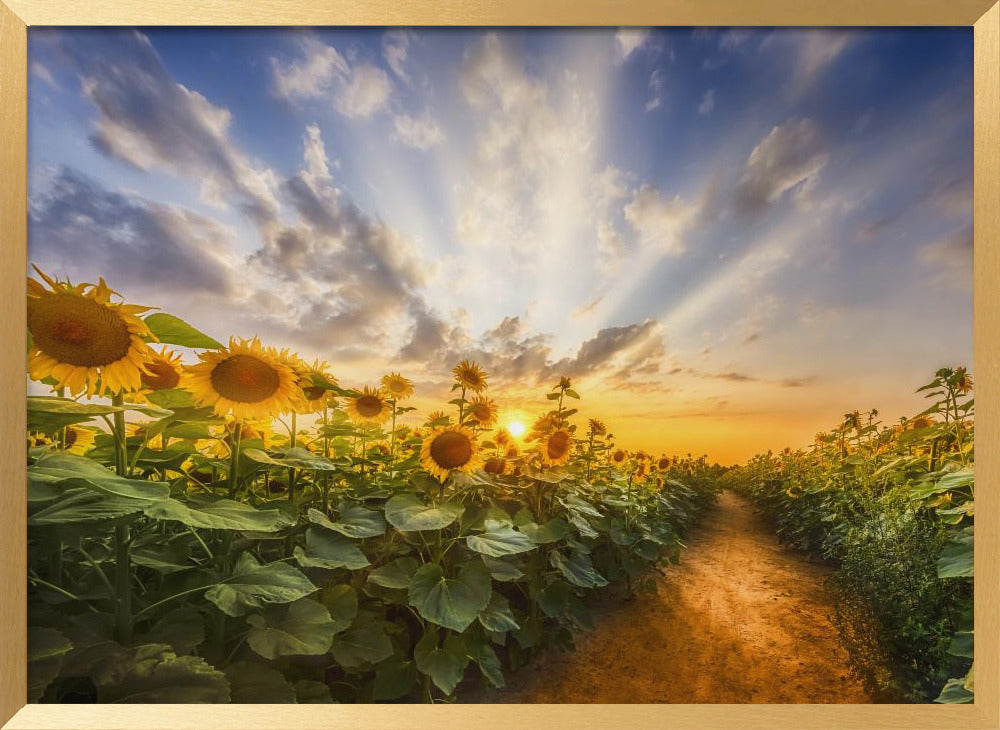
246, 379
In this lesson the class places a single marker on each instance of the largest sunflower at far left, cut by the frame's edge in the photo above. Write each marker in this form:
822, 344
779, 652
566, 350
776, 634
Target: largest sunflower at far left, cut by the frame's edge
83, 341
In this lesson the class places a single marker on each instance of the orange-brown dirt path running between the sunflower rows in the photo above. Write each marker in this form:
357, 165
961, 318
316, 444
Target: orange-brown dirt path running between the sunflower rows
740, 620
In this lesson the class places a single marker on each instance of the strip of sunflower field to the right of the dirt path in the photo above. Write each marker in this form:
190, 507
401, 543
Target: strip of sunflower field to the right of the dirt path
892, 507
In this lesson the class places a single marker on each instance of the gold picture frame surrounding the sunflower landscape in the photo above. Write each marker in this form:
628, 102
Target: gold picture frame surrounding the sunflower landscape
17, 15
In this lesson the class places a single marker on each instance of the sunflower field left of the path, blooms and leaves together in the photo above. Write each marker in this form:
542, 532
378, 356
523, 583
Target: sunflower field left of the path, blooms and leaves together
246, 529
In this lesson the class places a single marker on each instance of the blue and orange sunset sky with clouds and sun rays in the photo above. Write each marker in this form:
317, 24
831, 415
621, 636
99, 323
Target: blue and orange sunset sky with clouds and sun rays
726, 237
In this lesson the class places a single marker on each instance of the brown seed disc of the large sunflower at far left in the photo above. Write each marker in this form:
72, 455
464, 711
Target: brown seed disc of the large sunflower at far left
77, 331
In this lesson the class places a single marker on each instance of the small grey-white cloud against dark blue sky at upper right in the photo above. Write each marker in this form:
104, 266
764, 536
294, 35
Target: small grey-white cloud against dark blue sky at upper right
790, 155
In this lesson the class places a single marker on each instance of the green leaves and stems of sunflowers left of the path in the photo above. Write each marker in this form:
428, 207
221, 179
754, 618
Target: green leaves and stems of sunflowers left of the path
325, 570
